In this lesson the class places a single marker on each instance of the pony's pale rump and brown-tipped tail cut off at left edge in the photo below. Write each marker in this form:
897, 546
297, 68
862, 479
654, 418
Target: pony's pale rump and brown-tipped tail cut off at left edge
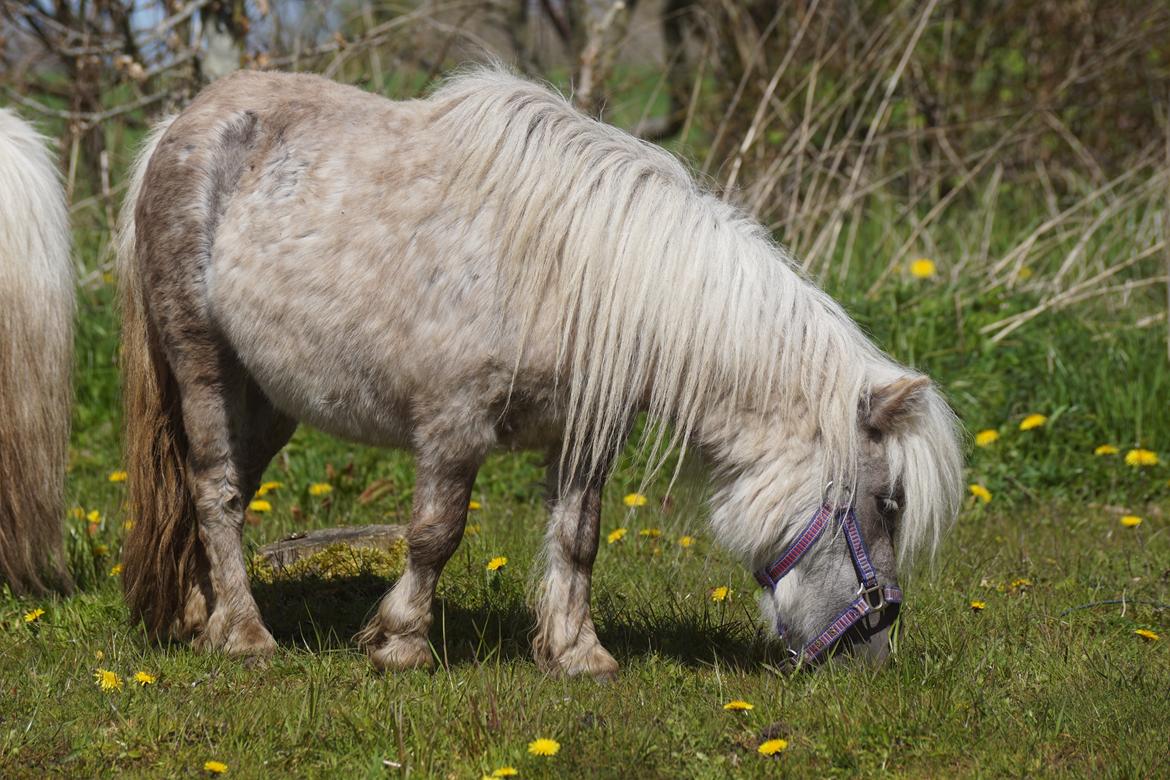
37, 312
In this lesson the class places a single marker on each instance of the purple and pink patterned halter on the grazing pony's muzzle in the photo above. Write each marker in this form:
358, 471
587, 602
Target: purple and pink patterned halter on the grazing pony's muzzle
872, 597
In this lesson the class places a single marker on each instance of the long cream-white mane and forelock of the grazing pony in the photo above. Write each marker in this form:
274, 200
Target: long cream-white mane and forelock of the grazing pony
671, 296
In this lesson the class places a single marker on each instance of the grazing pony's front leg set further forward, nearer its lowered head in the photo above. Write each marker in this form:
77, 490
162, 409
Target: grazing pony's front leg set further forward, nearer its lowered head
567, 643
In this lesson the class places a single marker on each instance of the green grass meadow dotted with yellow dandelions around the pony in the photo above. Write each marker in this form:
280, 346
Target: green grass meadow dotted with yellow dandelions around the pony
1034, 645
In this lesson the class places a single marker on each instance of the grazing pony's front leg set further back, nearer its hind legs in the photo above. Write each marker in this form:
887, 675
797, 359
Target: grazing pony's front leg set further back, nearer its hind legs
397, 637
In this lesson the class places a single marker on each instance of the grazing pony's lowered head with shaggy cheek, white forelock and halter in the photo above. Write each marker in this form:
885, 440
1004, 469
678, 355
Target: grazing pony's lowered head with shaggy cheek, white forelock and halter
832, 529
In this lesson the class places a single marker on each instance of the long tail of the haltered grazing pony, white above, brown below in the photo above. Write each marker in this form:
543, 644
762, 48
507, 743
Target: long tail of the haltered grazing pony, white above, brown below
162, 548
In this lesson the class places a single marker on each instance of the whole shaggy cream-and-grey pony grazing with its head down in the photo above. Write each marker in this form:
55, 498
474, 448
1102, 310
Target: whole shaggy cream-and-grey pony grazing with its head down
488, 268
